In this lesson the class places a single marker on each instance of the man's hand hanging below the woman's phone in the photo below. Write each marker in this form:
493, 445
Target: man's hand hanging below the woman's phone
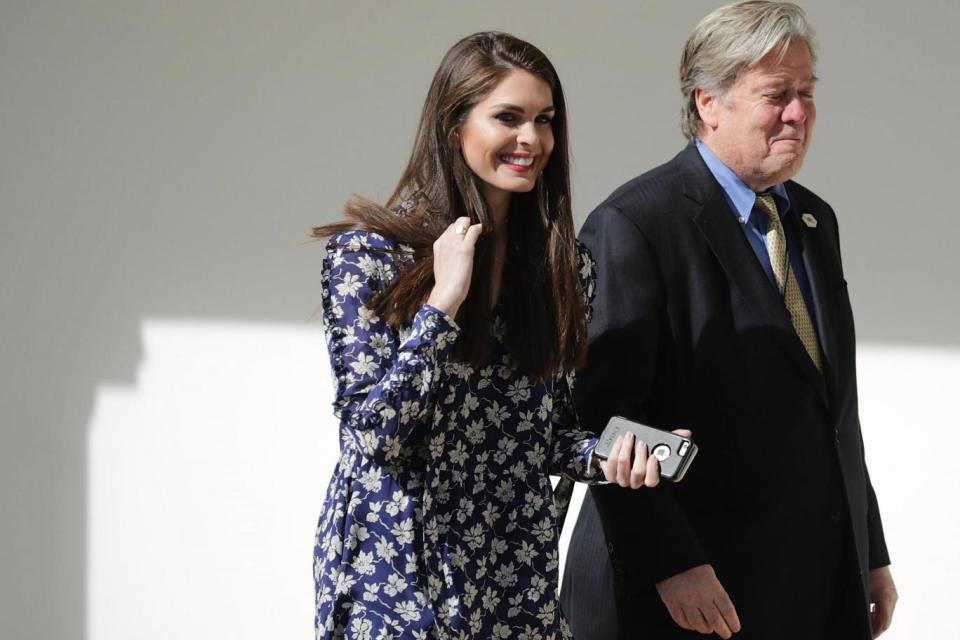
697, 601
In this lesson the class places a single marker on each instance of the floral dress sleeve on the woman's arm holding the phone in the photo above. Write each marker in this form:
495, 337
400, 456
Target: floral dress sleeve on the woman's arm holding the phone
571, 447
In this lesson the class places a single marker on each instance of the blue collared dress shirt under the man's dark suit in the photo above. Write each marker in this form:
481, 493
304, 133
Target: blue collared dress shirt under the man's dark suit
742, 200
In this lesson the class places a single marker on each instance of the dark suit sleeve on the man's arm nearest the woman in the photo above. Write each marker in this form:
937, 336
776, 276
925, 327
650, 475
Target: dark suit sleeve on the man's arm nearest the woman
648, 533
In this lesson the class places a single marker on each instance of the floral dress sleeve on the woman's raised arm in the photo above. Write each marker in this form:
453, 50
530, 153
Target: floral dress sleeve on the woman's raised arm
385, 380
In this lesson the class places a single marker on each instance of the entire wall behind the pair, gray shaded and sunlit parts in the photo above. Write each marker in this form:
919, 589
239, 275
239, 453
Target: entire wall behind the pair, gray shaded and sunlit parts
162, 398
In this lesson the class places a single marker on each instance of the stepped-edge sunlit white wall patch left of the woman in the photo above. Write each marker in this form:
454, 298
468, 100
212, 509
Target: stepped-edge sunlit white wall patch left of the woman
205, 484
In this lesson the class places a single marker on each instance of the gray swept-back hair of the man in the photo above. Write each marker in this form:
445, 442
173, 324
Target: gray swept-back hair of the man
731, 40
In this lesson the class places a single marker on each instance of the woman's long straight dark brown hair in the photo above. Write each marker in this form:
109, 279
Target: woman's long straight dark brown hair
543, 304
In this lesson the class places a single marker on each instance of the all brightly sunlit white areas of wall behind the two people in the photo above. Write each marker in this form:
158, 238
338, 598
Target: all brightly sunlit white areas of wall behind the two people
206, 478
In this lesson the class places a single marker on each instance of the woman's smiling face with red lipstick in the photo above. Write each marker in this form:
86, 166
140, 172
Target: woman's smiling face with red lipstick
507, 137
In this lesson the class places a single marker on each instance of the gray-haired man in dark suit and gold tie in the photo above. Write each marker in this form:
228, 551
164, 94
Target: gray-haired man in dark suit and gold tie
722, 306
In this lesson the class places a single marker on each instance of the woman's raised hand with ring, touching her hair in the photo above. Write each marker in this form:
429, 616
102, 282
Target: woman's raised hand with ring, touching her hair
453, 265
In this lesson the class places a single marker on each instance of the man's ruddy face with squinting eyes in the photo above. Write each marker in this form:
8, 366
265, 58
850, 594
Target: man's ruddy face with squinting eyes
762, 127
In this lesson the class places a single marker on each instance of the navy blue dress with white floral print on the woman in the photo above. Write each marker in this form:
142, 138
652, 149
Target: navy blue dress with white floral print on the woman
440, 520
